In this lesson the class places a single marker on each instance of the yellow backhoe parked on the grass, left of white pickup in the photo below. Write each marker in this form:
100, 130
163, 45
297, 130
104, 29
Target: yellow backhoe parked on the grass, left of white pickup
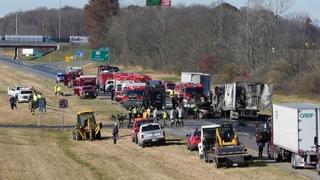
86, 127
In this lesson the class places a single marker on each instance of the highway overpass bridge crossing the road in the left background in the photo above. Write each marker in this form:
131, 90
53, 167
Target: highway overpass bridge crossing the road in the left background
29, 45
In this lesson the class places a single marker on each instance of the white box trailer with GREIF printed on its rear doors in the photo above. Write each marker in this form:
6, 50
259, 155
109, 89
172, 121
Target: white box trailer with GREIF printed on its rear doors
295, 131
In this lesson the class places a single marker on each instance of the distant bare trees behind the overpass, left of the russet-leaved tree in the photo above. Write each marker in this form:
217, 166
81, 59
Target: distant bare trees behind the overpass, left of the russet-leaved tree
43, 21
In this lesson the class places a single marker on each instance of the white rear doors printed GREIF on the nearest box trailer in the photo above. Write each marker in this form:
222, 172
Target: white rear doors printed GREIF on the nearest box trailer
307, 129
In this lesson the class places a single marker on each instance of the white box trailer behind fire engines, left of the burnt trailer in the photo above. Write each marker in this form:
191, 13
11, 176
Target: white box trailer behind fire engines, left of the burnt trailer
198, 77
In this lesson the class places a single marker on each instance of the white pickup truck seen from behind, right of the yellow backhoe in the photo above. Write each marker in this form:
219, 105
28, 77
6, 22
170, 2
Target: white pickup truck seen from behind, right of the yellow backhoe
151, 133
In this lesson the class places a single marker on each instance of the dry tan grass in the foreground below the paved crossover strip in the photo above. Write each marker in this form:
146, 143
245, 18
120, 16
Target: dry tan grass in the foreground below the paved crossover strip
52, 154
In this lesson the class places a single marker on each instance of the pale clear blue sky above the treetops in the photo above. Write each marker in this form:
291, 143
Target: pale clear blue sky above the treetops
310, 7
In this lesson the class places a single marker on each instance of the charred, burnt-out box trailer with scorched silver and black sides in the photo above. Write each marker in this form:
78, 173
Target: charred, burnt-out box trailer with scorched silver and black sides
242, 99
